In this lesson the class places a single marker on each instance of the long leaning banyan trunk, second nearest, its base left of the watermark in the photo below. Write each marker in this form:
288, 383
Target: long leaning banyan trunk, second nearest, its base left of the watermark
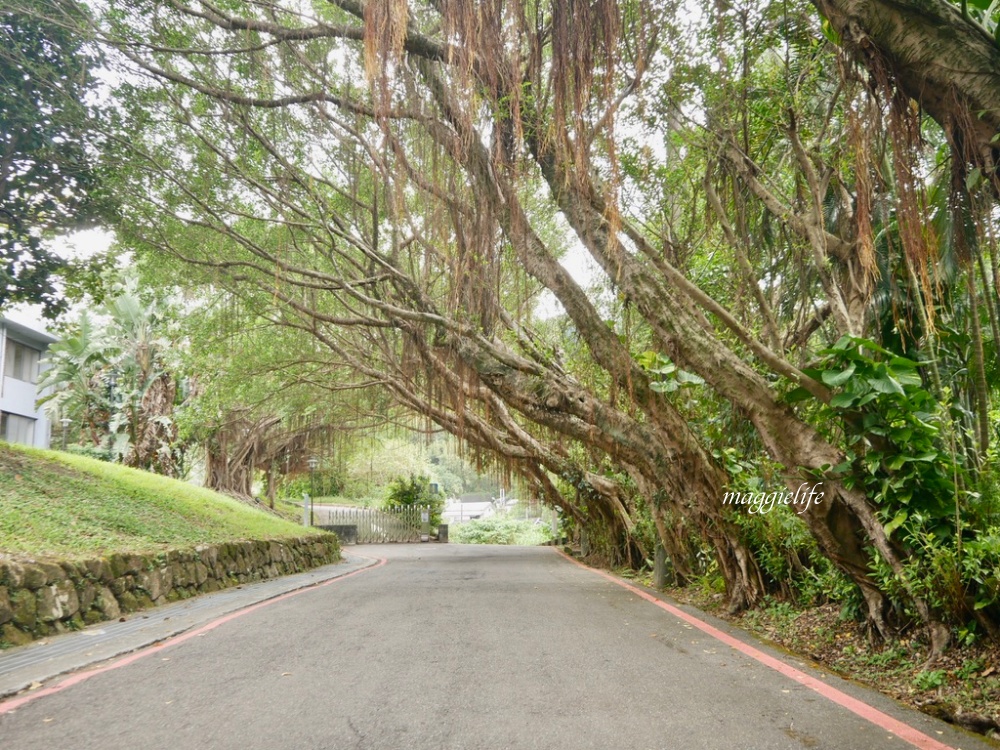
668, 448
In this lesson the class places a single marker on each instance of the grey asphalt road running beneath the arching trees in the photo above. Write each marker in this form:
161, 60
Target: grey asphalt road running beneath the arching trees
451, 646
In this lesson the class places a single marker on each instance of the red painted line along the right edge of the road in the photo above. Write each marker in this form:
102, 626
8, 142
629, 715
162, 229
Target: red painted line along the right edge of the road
870, 713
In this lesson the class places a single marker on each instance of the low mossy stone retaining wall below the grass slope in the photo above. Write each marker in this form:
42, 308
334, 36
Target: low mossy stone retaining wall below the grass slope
40, 598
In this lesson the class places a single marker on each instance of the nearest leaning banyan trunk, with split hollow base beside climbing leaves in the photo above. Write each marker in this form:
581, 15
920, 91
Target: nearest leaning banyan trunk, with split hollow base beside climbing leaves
845, 524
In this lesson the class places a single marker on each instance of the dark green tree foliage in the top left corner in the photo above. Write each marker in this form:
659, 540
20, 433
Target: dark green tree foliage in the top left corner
49, 145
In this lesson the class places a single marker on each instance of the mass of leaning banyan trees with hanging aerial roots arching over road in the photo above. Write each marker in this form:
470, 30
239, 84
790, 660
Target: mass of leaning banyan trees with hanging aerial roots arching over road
792, 213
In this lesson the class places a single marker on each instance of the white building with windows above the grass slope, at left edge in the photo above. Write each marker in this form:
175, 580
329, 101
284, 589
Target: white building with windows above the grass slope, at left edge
21, 348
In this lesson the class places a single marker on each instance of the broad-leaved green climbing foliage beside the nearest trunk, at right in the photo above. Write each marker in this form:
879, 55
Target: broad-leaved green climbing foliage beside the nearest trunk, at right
899, 448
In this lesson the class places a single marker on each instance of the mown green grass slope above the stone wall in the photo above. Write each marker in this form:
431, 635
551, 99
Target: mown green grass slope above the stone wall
60, 505
